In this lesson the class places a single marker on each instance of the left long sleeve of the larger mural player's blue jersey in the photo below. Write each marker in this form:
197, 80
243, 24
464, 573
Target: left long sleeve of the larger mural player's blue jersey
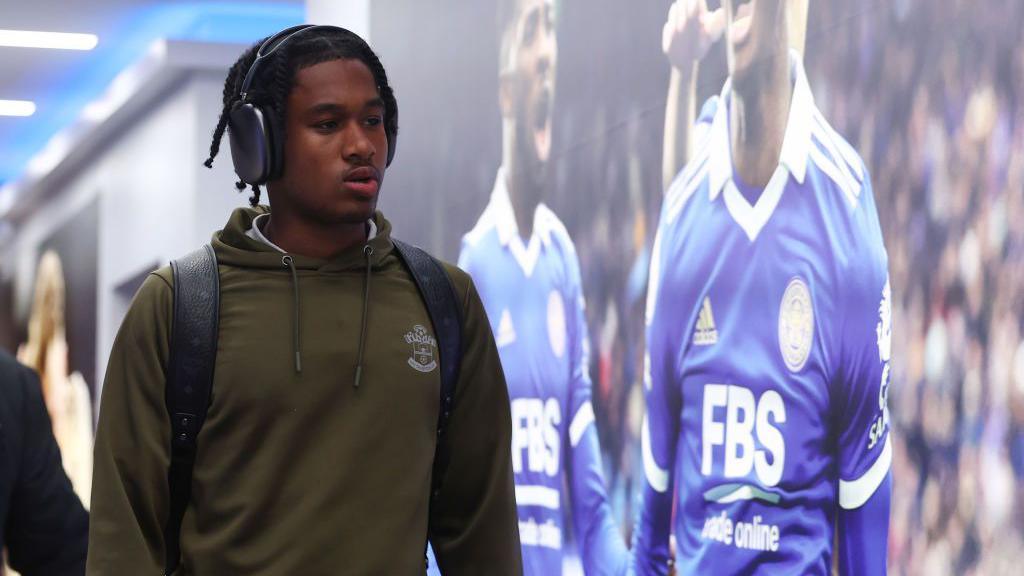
661, 426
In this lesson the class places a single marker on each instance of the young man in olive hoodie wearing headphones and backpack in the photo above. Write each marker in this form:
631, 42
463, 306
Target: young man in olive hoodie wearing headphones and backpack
317, 454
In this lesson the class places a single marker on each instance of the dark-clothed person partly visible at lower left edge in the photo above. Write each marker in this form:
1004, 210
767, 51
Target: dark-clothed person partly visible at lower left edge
42, 523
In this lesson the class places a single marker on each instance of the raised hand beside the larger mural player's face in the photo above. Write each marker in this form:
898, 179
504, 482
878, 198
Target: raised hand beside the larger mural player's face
690, 32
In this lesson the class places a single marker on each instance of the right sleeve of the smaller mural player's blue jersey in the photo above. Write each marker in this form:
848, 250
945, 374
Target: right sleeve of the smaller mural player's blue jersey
603, 549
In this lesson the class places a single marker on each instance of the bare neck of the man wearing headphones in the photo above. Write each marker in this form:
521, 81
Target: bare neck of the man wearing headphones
303, 239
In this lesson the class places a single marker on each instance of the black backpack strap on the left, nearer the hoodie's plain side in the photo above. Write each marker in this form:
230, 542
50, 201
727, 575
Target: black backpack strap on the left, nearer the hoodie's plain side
190, 380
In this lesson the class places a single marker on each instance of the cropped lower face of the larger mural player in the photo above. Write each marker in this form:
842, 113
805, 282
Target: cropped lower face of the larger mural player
754, 27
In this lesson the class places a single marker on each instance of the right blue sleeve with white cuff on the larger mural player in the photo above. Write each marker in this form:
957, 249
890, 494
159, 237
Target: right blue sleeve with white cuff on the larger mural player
865, 447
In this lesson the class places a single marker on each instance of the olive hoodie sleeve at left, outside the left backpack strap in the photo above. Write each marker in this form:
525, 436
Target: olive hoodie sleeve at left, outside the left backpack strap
130, 488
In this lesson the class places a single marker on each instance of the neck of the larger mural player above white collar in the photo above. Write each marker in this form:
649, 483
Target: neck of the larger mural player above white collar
759, 112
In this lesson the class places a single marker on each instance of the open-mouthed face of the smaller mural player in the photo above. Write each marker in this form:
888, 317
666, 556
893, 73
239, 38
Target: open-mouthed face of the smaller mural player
529, 81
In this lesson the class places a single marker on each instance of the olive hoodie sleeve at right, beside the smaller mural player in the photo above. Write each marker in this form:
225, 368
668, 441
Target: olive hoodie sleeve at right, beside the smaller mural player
474, 523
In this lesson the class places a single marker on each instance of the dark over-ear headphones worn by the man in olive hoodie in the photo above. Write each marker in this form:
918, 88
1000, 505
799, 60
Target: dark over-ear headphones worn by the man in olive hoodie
257, 137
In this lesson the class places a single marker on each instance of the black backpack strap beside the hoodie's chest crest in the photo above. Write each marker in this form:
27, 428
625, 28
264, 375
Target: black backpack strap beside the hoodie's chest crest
443, 306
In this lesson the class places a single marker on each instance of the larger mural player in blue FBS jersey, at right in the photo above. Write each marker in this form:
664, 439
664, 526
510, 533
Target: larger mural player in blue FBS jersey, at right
770, 333
